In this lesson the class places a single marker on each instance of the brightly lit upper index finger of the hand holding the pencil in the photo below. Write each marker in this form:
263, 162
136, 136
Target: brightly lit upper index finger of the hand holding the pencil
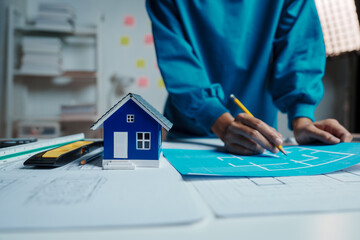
269, 133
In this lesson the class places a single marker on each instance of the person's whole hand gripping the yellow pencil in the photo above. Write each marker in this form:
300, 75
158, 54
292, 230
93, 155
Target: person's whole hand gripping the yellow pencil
246, 135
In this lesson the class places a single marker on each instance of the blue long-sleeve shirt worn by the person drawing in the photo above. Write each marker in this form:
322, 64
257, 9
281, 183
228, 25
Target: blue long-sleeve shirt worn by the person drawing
270, 54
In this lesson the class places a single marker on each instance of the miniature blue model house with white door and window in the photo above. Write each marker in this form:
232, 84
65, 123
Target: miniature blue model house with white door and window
132, 133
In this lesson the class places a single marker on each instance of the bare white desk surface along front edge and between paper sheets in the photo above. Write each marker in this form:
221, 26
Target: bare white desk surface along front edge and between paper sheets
338, 225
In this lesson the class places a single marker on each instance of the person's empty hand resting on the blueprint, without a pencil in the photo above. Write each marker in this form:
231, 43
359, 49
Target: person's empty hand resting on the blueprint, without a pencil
328, 131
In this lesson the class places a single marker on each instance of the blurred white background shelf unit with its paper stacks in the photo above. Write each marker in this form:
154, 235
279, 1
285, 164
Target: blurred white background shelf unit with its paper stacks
38, 60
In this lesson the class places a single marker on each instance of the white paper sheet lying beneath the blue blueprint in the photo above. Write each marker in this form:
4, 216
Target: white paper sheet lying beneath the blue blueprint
243, 196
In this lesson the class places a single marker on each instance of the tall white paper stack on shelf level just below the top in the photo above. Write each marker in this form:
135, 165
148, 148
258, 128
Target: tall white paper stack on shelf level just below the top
41, 55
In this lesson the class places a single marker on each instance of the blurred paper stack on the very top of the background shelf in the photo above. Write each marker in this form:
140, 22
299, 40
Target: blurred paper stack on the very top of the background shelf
56, 16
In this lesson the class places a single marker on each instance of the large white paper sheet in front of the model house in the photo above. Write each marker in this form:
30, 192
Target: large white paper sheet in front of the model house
86, 196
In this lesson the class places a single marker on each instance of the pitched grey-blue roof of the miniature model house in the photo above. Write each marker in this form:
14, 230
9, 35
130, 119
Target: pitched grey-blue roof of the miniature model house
142, 103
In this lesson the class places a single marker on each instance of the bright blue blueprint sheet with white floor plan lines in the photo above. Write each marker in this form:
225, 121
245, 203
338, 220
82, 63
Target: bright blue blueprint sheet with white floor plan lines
301, 160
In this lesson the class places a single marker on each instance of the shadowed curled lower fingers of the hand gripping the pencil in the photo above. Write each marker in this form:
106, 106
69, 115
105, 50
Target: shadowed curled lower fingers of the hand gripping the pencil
237, 141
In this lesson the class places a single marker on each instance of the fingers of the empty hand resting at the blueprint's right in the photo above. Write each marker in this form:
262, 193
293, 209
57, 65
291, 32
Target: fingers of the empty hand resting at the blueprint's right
334, 127
